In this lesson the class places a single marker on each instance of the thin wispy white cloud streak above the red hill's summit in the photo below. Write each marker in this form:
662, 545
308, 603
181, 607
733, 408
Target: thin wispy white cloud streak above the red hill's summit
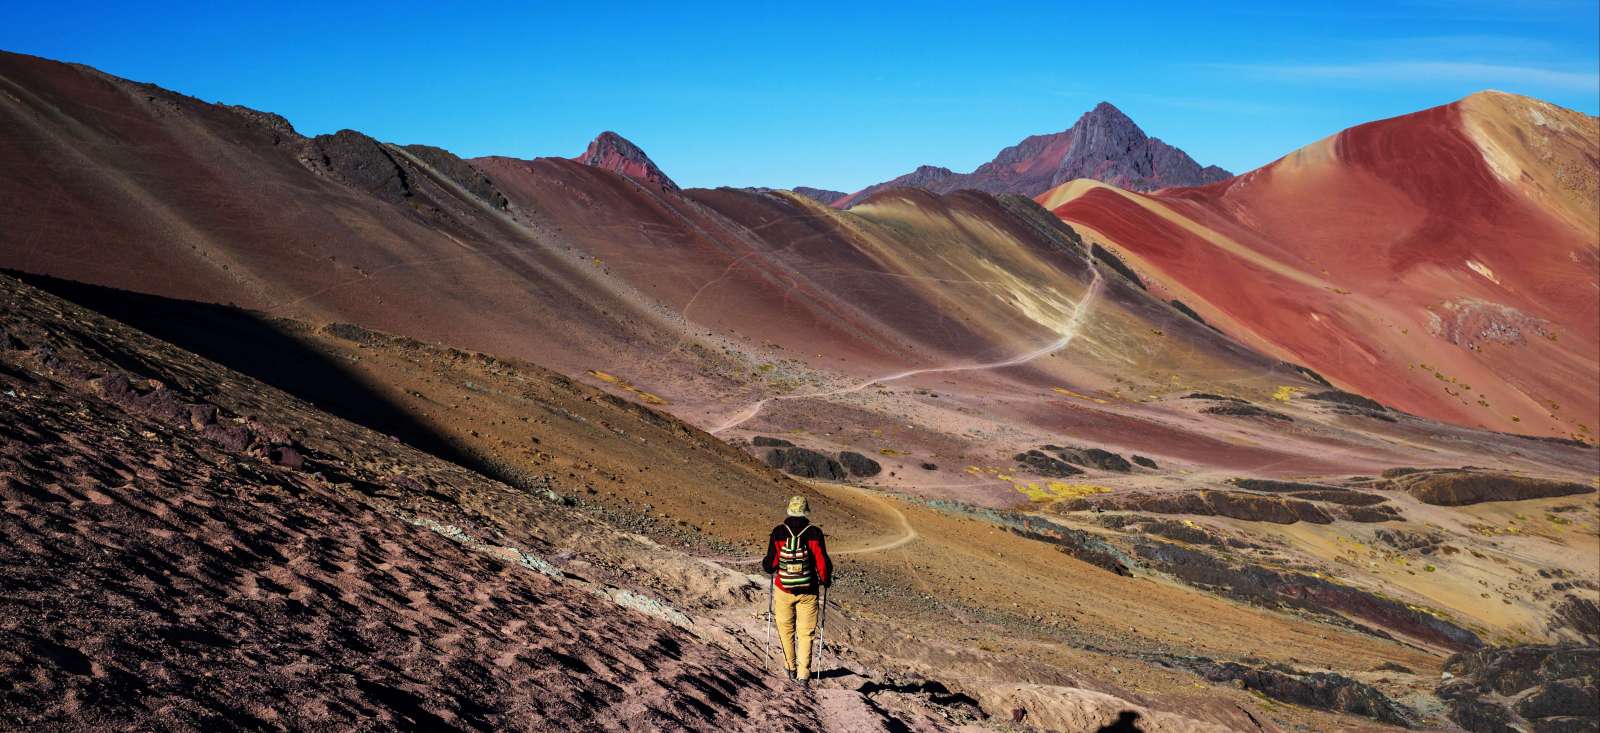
1390, 73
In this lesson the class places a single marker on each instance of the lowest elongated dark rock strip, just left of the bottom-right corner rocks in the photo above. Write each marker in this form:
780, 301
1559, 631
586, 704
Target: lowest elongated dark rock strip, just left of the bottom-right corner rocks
1322, 691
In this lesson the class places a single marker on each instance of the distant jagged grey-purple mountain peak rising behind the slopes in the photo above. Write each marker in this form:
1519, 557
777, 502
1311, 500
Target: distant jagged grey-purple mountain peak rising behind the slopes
1105, 145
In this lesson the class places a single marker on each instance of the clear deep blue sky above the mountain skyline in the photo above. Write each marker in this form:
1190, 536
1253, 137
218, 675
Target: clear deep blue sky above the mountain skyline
831, 95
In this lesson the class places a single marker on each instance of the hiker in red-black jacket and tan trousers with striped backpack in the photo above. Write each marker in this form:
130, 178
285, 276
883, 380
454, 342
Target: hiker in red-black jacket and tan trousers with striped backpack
798, 561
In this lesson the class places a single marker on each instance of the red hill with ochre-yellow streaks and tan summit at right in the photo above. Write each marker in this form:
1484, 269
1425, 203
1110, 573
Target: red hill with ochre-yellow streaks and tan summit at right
1444, 263
